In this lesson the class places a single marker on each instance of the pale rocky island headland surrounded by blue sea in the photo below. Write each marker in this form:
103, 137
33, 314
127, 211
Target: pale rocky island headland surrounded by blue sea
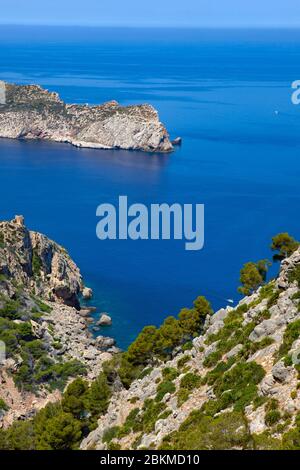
30, 112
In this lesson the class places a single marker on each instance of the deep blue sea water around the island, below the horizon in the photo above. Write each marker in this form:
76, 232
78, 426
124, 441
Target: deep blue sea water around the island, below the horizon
227, 93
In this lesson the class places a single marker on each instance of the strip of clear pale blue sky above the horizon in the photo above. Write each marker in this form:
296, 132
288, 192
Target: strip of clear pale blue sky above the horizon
152, 12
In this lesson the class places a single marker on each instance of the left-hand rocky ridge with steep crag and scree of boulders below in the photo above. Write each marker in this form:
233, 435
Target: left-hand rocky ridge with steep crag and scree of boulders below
40, 287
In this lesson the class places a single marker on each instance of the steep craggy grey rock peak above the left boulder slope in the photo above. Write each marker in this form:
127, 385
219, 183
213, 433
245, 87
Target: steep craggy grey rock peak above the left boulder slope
37, 263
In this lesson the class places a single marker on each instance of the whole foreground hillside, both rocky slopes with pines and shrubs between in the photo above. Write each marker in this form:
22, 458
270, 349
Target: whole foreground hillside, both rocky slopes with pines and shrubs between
202, 380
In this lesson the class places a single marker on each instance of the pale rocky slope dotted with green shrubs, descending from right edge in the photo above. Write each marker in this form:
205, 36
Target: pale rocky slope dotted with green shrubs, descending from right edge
237, 387
